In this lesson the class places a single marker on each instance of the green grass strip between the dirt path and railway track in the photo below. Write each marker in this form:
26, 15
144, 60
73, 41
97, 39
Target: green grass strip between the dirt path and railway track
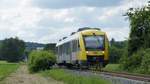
69, 78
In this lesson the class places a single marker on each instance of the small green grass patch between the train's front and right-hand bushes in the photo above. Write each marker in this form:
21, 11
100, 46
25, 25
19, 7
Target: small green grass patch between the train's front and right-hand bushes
112, 67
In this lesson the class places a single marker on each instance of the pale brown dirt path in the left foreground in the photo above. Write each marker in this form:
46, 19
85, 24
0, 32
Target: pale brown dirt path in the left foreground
22, 76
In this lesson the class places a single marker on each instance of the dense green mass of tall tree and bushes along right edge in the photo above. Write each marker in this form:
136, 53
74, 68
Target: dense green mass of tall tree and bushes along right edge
137, 56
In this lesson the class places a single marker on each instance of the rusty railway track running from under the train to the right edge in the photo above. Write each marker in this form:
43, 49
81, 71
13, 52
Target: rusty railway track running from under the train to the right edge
137, 77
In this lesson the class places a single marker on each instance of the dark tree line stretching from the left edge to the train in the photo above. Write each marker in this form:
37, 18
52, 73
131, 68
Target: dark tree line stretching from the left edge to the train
15, 50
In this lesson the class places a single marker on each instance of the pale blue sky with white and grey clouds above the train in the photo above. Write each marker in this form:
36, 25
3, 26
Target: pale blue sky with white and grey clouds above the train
47, 21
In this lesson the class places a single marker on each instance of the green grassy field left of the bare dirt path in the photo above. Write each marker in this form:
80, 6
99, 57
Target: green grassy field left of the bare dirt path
7, 68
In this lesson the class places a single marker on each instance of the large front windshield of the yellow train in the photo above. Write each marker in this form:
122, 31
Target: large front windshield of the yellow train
94, 43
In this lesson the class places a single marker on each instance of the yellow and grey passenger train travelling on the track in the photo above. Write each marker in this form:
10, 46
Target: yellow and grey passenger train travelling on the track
86, 47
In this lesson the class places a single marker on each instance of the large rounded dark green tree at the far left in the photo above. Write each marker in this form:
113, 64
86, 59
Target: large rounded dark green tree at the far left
12, 49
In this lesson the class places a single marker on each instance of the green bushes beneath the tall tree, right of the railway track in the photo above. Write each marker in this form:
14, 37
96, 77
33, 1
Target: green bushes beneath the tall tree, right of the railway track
138, 62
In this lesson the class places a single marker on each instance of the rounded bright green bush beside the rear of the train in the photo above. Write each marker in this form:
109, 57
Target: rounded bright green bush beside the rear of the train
40, 60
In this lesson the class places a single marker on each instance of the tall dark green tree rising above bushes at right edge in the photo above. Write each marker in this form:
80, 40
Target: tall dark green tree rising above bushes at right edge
140, 29
